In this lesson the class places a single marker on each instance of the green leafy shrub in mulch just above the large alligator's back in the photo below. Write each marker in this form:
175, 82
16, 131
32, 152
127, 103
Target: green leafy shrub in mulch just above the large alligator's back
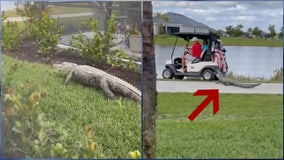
97, 49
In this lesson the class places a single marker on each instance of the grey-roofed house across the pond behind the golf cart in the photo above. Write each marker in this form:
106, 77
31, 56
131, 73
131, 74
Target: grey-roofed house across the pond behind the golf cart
178, 23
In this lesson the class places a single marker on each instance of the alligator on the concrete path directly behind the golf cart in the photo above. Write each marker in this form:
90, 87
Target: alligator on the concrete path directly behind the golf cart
230, 82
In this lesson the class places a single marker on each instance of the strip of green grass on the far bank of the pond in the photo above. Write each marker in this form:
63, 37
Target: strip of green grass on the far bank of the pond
227, 41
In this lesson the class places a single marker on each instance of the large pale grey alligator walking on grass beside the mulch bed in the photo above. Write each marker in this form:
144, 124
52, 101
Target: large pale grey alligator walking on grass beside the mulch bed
97, 78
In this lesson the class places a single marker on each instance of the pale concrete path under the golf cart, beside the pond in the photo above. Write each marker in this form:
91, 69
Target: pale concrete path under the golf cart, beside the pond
193, 86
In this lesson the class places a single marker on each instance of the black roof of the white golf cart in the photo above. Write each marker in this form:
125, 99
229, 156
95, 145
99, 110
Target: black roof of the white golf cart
189, 35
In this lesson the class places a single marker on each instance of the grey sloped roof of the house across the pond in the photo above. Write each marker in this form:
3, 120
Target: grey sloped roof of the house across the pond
175, 18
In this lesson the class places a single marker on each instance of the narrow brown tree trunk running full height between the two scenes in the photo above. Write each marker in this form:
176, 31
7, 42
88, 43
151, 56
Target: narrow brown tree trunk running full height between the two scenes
149, 84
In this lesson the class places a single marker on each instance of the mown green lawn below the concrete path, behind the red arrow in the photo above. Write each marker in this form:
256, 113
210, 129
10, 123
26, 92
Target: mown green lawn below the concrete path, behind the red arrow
246, 126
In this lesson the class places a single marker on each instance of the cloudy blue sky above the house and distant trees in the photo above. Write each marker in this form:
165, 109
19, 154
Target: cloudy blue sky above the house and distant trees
219, 14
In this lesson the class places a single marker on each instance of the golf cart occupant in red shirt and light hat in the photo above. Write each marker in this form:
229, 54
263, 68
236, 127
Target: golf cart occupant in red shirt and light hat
193, 52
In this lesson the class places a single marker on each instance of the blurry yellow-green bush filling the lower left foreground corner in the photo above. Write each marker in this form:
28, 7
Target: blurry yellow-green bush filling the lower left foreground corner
27, 132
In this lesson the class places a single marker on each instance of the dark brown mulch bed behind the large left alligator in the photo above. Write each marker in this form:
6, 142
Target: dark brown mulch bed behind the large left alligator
27, 51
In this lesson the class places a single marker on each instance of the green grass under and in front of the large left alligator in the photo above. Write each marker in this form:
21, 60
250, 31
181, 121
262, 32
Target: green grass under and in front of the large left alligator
115, 123
